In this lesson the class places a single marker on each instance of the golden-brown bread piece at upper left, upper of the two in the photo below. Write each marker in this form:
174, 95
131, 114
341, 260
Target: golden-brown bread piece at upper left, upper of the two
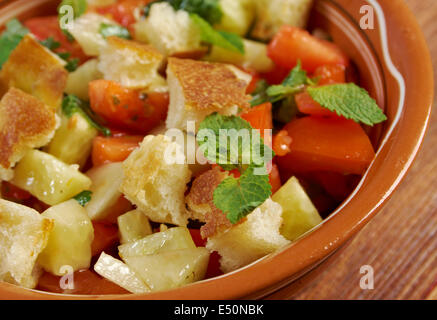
36, 70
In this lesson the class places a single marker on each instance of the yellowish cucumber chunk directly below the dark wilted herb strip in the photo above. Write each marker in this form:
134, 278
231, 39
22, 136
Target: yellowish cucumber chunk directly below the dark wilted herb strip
73, 140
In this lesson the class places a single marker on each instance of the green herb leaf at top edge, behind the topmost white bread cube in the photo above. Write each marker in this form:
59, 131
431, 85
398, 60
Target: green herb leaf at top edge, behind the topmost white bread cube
209, 10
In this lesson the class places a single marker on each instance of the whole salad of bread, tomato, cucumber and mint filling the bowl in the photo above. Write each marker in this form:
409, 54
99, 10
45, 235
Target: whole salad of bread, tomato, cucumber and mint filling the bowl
146, 145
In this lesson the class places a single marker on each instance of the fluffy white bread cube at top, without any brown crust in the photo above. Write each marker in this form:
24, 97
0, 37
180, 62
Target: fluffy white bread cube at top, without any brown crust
169, 31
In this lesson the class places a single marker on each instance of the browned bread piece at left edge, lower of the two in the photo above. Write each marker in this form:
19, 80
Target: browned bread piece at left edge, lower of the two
25, 123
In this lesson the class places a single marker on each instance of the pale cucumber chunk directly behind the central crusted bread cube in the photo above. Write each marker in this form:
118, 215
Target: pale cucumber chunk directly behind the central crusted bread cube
255, 56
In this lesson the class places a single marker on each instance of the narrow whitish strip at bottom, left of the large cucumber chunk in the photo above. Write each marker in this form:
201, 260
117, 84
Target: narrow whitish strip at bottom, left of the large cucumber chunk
116, 271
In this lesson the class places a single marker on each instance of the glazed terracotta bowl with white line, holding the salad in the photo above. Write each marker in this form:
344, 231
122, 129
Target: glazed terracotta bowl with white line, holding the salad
395, 67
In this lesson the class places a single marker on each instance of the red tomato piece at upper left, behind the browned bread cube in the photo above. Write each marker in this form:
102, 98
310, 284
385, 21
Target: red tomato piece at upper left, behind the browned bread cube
46, 27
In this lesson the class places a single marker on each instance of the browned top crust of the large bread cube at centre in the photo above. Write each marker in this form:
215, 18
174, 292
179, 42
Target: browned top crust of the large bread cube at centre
207, 85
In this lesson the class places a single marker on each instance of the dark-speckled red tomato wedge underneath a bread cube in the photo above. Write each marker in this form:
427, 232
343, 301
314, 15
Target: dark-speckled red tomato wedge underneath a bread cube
126, 108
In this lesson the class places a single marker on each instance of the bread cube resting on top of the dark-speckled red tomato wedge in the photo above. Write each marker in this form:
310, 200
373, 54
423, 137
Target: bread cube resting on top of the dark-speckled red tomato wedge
131, 64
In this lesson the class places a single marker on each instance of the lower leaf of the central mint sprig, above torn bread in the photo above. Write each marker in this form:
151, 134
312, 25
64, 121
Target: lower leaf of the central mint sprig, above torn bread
239, 197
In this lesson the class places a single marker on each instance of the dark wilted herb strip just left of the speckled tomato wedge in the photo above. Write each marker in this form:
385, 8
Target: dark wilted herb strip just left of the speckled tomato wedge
72, 104
